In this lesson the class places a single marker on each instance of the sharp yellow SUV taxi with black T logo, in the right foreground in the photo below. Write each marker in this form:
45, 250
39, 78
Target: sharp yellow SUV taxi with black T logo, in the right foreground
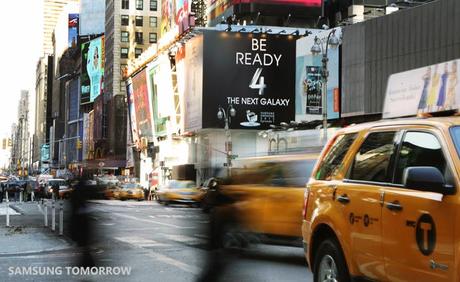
382, 203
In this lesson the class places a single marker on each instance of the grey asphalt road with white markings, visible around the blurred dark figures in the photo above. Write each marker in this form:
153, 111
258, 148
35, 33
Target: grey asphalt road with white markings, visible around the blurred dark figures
154, 243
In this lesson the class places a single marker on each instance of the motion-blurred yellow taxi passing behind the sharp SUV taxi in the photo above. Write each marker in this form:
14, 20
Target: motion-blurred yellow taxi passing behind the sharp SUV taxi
268, 193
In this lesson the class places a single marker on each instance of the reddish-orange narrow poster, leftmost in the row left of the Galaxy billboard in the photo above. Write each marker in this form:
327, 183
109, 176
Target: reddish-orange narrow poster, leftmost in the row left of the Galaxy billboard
142, 104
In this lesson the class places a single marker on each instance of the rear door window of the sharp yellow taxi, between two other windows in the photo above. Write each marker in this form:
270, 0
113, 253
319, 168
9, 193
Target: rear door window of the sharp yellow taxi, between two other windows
373, 158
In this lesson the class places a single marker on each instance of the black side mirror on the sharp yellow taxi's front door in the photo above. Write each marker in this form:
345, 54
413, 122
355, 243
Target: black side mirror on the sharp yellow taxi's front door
426, 178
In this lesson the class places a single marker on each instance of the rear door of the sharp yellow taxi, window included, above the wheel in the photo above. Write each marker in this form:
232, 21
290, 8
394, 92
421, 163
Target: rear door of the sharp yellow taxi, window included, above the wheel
360, 198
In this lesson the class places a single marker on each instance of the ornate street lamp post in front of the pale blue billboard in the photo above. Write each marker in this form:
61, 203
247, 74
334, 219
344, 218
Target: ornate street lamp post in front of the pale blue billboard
318, 48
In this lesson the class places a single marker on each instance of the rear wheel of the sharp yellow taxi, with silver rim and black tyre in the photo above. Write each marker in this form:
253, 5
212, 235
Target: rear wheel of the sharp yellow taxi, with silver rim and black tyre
330, 264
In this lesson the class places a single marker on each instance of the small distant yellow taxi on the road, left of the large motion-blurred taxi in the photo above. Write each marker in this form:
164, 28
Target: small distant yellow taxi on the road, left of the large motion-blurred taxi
179, 191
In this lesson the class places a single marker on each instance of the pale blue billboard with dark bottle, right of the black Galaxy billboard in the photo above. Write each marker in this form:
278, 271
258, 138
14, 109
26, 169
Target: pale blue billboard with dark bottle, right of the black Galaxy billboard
308, 82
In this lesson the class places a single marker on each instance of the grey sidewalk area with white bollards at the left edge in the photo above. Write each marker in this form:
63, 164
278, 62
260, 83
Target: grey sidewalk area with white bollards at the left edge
27, 234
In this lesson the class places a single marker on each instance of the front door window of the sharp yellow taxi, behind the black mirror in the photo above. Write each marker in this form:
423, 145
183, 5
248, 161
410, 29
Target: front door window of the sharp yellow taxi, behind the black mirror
420, 149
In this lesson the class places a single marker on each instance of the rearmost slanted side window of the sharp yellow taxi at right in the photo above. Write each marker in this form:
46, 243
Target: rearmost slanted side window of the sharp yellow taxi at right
333, 159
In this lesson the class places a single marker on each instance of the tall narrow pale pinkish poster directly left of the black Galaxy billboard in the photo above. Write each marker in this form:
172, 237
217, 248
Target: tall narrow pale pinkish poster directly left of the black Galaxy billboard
192, 110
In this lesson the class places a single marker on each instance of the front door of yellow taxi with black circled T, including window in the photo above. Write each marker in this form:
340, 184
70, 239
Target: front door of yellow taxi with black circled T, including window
418, 226
